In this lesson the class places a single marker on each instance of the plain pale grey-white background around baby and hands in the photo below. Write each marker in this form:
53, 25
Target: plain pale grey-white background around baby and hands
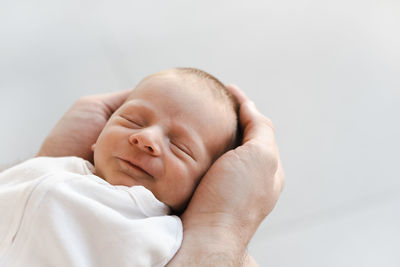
326, 73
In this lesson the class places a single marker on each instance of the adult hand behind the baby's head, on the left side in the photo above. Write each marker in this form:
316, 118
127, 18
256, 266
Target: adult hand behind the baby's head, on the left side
79, 128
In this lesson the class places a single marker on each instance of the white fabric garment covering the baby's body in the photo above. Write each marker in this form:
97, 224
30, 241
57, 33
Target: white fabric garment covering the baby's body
55, 212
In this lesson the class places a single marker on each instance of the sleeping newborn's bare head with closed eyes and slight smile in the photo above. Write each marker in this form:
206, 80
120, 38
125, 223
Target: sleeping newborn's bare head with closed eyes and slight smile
166, 135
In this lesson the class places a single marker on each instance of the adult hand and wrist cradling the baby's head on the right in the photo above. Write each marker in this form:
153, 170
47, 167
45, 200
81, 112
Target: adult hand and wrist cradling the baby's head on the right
236, 194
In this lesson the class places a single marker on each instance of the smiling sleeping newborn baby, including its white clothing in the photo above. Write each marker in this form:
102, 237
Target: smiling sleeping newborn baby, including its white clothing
148, 160
